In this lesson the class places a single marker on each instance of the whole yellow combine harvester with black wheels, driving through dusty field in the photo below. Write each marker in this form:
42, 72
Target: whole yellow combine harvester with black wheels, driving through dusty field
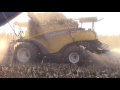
64, 39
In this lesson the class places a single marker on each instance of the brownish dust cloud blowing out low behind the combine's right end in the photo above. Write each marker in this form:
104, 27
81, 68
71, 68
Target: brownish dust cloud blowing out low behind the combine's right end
110, 59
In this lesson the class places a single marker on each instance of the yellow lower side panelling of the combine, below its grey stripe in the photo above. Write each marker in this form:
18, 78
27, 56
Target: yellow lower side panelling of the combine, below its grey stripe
54, 44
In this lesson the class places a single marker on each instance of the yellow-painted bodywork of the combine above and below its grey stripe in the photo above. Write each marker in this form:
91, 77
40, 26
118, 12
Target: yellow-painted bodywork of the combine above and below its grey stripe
57, 42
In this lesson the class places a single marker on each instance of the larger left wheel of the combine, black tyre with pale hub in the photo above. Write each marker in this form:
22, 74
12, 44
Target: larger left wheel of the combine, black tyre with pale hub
26, 53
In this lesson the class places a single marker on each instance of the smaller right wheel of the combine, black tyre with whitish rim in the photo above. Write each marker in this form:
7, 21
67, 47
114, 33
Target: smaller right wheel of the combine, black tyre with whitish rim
75, 55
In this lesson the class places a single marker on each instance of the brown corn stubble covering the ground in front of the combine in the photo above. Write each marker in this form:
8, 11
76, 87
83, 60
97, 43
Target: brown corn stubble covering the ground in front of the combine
55, 70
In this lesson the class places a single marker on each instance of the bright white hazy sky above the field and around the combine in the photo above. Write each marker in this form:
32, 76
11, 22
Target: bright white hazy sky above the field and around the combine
108, 26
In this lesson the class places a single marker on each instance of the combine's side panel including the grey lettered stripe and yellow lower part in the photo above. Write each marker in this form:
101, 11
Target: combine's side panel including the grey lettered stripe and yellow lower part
55, 41
